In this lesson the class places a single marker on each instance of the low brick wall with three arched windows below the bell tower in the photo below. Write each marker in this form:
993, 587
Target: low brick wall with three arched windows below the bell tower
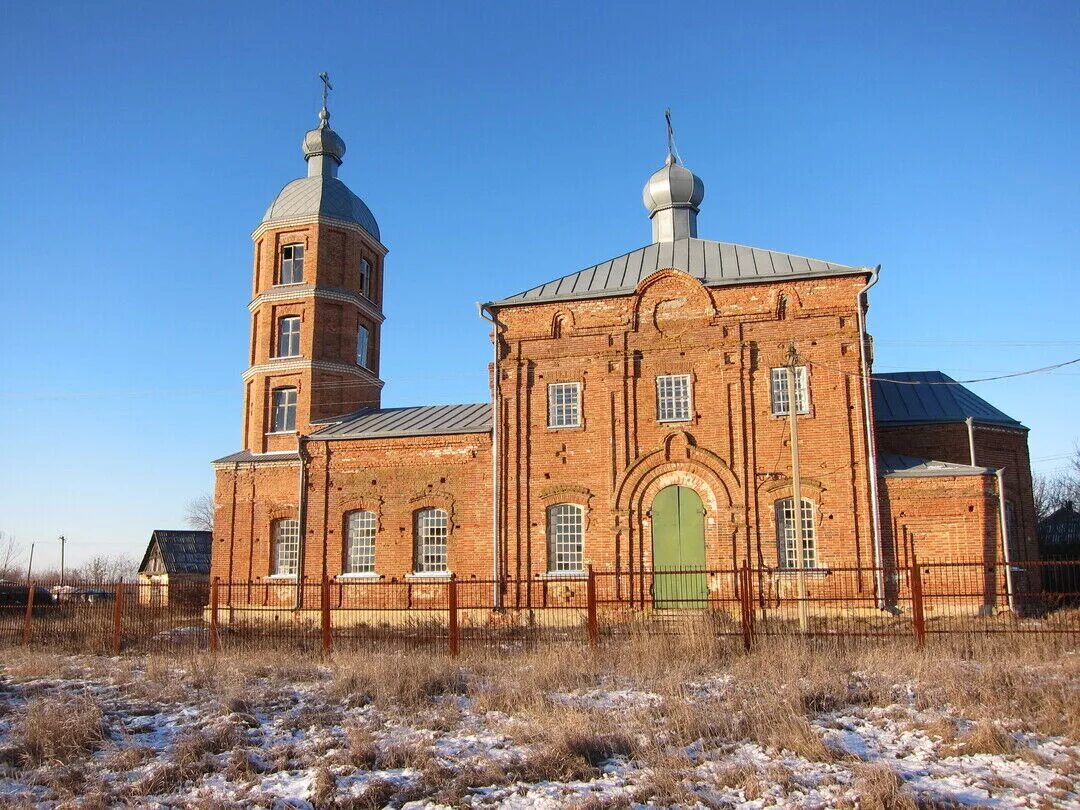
393, 478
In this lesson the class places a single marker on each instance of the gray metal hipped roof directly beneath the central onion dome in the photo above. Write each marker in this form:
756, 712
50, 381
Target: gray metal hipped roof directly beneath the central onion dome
715, 264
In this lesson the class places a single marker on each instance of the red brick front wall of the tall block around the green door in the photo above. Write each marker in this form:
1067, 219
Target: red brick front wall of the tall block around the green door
733, 452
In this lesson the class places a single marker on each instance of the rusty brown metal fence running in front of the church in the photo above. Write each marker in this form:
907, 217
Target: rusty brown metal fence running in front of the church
747, 603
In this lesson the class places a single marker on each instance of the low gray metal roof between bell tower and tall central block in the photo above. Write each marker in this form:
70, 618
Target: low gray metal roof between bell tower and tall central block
423, 421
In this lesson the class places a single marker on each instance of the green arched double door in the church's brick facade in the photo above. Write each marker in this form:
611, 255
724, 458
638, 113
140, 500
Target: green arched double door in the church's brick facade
679, 549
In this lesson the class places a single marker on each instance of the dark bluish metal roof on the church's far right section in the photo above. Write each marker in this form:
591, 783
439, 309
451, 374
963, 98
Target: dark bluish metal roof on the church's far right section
917, 398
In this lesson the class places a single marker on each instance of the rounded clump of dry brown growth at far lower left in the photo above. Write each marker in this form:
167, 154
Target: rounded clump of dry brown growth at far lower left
59, 731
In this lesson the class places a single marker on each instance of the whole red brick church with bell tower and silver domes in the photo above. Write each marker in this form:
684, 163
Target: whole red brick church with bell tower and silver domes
639, 418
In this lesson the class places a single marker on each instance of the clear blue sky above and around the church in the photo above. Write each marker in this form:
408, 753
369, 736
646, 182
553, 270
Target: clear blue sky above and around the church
499, 145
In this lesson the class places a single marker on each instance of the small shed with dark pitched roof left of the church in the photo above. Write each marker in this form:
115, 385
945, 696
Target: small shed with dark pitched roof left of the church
175, 568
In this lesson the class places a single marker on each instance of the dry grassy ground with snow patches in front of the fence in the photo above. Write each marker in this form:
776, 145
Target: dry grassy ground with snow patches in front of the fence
646, 723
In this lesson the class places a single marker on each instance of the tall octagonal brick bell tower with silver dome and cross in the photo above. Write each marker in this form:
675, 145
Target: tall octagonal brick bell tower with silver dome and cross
317, 303
